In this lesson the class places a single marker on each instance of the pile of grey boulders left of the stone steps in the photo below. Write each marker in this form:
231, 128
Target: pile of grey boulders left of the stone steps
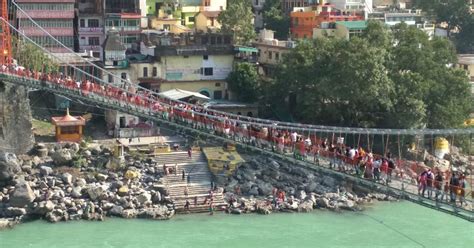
44, 185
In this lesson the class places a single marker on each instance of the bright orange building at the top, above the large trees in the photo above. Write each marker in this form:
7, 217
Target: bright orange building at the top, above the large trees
304, 20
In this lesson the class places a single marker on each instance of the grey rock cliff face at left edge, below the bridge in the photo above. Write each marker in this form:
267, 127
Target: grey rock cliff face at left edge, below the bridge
16, 134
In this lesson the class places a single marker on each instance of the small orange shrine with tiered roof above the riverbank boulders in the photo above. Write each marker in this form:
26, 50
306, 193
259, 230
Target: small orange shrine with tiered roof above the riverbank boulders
69, 128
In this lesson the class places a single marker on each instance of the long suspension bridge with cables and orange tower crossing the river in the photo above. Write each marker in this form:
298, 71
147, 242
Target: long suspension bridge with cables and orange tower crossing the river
292, 142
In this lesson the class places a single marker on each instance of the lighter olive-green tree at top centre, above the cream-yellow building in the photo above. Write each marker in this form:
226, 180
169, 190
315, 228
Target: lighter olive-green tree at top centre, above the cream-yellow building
237, 20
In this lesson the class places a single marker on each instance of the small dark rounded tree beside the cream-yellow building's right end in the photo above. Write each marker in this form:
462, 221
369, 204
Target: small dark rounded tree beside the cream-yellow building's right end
244, 82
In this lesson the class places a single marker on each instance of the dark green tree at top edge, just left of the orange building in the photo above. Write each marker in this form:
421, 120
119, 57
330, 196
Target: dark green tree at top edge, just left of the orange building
274, 19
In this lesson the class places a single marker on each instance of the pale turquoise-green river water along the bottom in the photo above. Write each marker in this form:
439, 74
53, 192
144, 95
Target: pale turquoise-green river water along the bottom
401, 225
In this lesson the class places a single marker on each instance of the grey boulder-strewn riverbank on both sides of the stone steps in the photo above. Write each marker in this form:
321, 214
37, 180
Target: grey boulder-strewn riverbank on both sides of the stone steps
72, 182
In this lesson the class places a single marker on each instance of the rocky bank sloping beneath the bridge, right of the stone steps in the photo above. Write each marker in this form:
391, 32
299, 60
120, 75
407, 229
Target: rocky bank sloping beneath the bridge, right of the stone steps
255, 185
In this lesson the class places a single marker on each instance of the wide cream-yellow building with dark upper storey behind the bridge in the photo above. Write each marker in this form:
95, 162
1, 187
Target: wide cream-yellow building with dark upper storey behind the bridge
198, 63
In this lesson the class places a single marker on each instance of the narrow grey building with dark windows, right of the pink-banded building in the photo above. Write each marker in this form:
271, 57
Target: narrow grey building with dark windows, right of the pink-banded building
91, 26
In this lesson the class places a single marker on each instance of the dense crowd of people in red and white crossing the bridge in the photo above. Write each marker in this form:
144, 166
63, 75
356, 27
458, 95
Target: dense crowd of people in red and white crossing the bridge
350, 159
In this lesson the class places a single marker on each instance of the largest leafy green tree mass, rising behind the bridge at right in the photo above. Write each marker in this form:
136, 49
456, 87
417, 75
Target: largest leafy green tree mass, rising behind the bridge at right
398, 79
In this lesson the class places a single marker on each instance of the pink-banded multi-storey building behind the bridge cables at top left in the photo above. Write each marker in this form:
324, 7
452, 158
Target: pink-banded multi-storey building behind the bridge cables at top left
55, 16
